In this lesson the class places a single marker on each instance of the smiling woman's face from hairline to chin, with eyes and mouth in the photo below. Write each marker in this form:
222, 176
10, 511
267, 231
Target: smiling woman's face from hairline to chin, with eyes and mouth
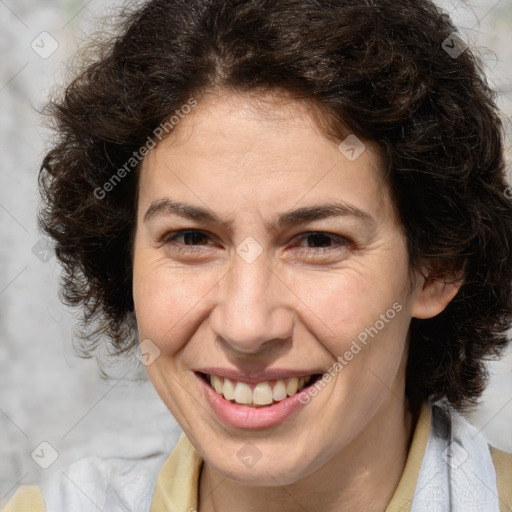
292, 260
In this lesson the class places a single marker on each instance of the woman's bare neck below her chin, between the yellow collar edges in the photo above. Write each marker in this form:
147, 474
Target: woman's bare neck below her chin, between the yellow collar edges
374, 460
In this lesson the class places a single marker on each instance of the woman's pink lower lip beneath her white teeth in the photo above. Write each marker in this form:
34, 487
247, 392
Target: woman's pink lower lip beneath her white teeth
240, 416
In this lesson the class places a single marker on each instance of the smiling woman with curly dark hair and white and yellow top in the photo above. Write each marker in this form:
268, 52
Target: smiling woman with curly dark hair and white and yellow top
298, 210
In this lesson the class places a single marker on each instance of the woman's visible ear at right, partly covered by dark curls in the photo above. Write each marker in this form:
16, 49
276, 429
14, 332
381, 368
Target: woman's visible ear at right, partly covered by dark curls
432, 292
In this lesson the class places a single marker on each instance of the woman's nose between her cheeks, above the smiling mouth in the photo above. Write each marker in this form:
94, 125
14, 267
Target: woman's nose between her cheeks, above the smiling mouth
251, 314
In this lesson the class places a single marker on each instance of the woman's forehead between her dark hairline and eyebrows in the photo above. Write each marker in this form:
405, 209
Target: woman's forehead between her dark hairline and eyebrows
266, 152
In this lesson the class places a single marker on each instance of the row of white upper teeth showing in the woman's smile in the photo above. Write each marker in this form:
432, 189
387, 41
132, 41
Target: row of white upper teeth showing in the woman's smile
262, 394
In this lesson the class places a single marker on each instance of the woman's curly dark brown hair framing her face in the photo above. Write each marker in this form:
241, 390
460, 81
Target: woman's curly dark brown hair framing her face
379, 67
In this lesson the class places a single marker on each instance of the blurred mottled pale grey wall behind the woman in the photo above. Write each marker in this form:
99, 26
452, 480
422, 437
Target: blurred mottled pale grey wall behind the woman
47, 393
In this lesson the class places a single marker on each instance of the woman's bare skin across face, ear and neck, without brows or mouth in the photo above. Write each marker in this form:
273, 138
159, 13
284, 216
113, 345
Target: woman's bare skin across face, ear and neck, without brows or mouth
299, 305
